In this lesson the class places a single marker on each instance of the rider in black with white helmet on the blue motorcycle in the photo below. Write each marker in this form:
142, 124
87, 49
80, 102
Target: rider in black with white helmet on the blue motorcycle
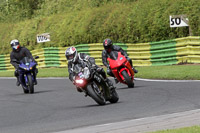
18, 53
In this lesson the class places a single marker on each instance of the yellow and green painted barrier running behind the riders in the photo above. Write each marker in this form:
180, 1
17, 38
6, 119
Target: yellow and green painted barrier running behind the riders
168, 52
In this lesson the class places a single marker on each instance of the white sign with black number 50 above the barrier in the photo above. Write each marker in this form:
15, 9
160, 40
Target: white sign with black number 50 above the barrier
178, 21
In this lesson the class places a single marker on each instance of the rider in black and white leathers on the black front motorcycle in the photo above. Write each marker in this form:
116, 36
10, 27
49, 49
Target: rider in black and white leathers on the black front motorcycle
74, 57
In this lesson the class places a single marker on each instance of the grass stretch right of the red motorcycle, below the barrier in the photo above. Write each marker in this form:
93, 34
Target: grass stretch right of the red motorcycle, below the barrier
178, 72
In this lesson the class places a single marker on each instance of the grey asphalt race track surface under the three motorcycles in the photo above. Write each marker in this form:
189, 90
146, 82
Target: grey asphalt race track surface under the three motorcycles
57, 106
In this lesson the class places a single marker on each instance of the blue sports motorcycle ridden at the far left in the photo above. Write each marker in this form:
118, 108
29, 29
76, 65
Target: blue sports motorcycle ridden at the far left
27, 75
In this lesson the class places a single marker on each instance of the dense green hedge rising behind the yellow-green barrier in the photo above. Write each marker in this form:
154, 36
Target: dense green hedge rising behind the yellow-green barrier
71, 22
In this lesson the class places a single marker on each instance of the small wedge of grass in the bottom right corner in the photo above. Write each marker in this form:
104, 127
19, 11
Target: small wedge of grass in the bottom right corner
193, 129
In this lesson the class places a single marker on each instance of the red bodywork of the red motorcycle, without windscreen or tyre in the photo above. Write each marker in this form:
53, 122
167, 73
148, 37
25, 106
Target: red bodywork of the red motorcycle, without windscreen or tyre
122, 63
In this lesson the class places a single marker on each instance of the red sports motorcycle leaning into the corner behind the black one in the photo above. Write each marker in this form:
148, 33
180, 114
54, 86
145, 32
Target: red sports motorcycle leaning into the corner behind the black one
121, 68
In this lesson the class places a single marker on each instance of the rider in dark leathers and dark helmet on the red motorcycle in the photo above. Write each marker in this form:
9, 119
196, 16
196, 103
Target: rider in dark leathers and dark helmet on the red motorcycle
108, 47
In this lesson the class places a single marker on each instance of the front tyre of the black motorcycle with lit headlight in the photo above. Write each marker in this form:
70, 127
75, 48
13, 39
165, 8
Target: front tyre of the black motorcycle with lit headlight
96, 95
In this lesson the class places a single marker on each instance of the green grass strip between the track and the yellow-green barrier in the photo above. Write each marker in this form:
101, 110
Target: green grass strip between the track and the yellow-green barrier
179, 72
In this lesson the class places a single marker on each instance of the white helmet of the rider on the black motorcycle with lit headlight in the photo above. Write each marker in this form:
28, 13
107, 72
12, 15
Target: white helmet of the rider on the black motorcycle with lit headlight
71, 54
